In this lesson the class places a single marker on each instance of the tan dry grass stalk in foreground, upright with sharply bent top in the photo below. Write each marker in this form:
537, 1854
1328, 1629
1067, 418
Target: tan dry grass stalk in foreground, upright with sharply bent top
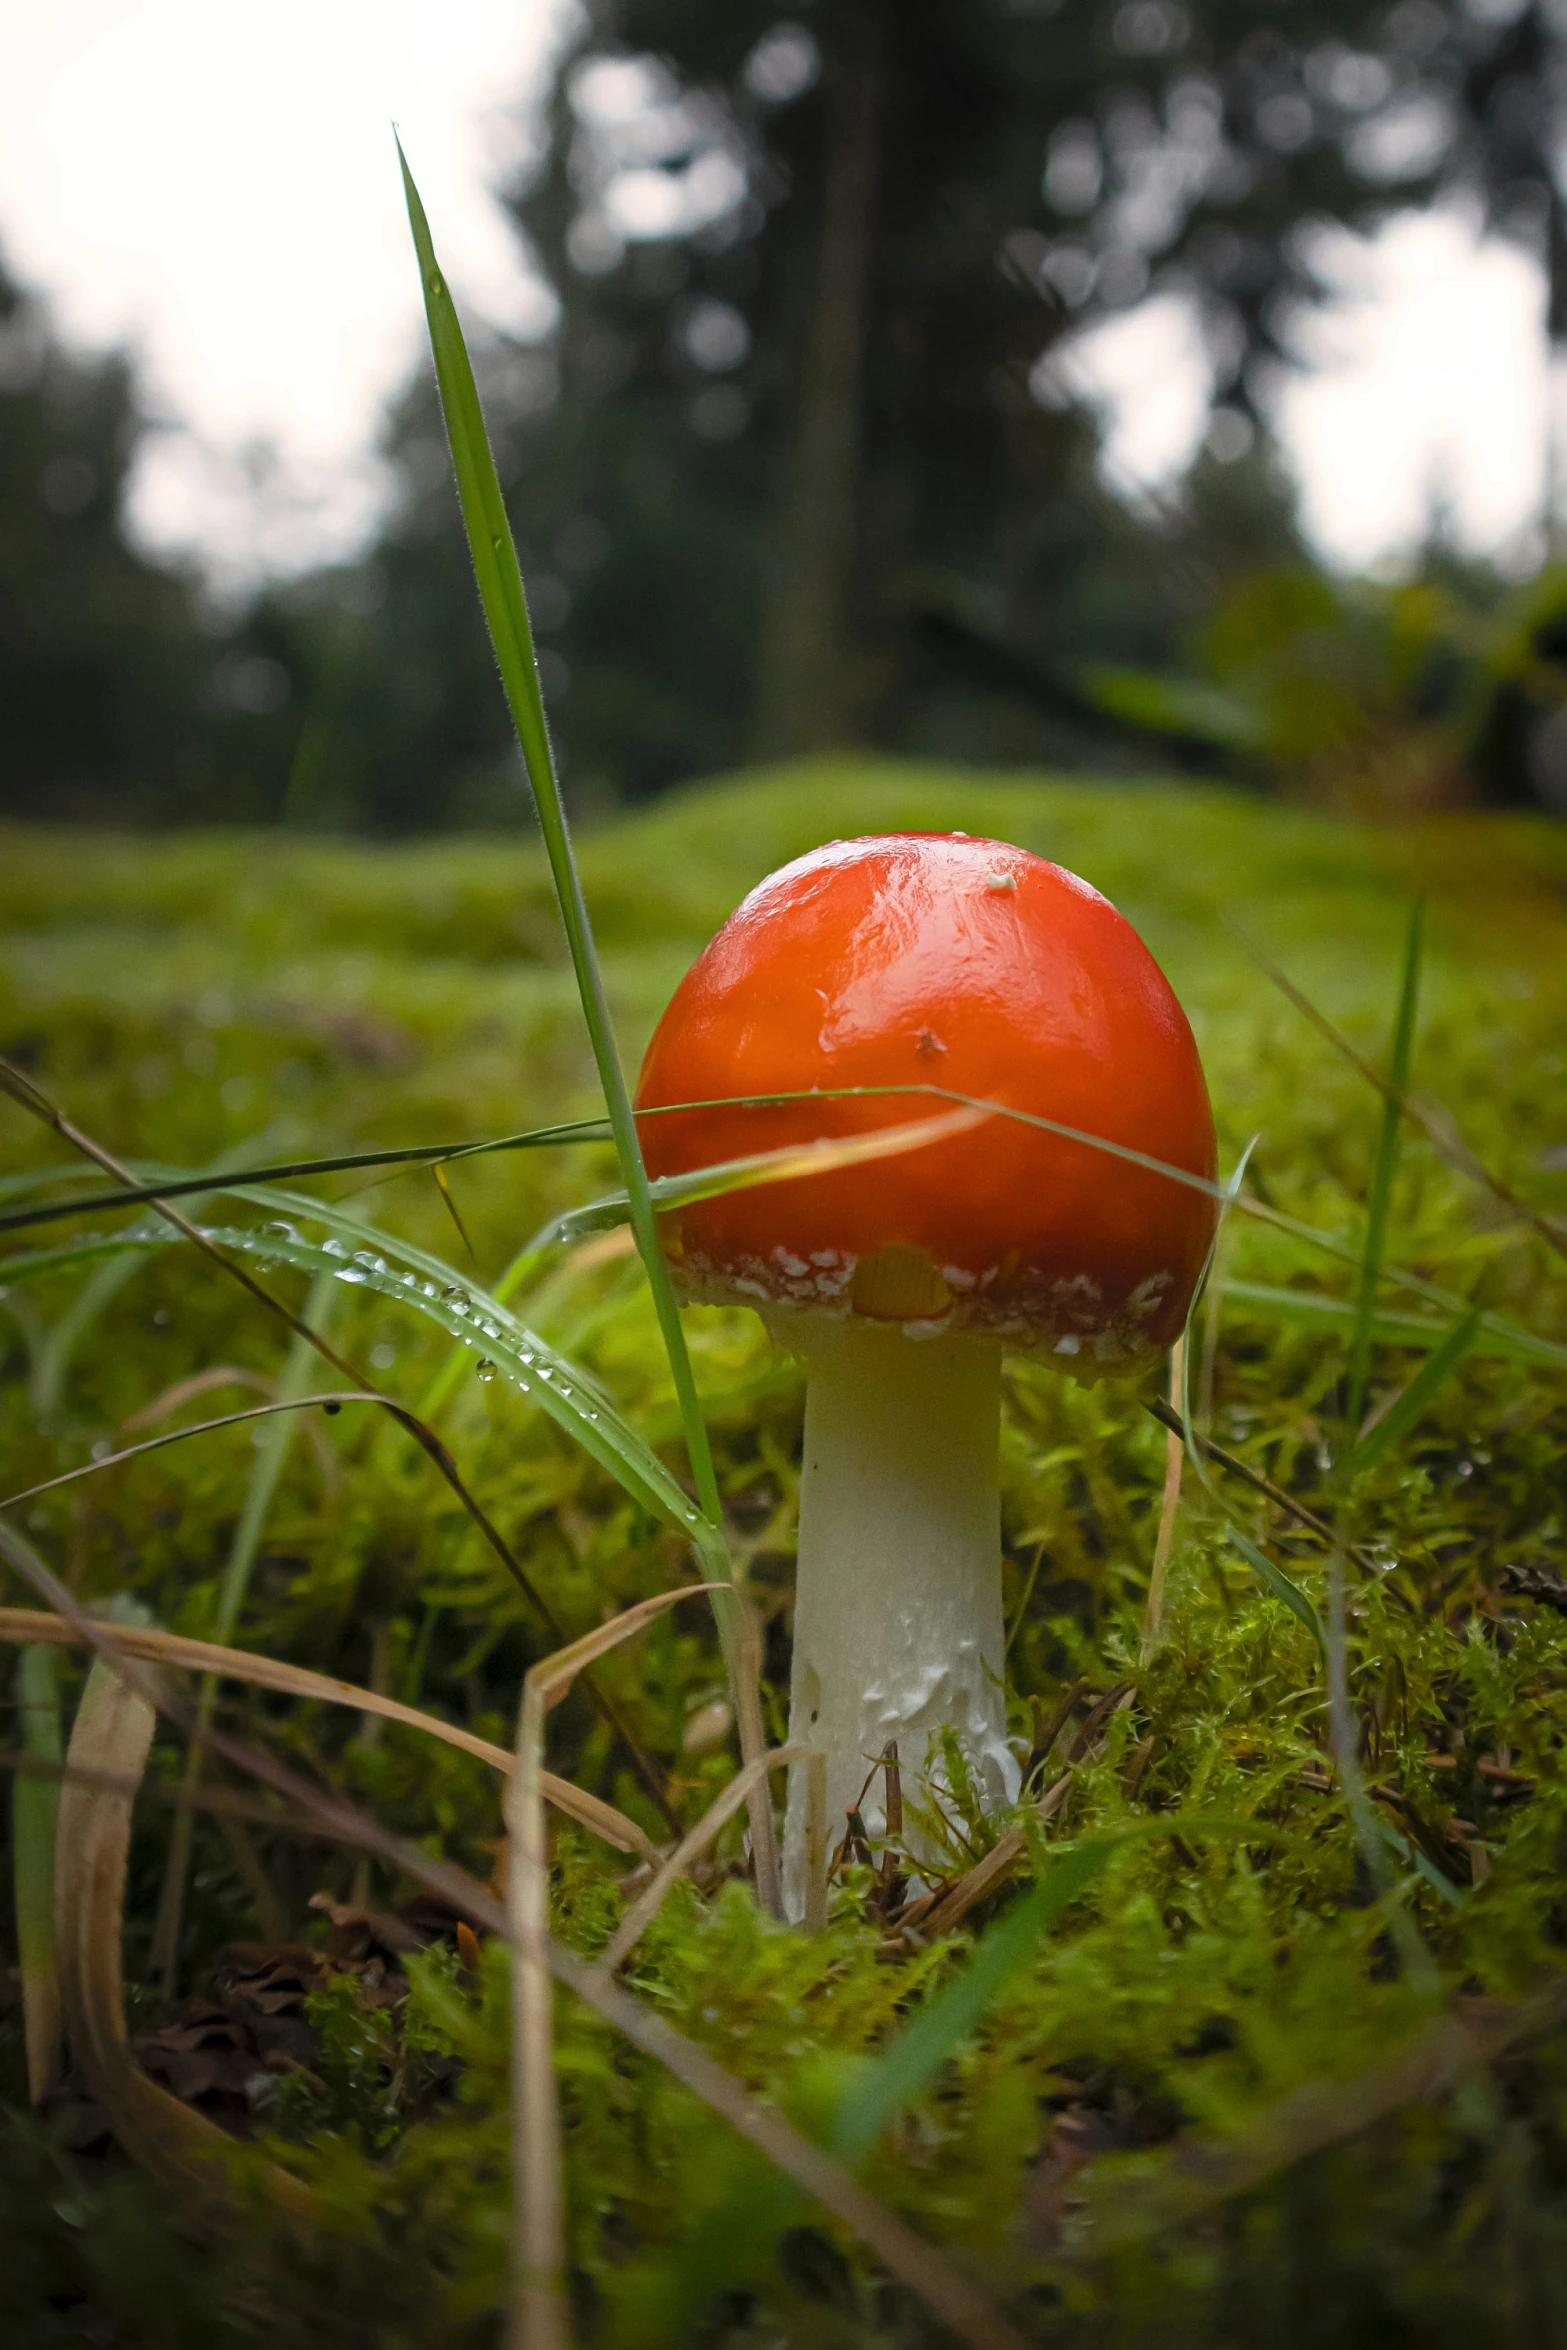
542, 2318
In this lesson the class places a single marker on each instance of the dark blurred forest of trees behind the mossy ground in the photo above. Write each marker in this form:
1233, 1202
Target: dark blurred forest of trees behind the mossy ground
798, 464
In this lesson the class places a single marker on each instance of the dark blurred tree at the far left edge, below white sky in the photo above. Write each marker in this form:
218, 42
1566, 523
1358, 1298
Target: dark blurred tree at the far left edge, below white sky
107, 673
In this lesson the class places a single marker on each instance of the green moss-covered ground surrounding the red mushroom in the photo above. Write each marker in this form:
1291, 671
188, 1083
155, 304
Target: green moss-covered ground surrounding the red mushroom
1218, 2104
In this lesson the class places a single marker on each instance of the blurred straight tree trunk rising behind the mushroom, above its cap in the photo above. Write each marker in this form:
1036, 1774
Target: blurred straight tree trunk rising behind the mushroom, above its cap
807, 697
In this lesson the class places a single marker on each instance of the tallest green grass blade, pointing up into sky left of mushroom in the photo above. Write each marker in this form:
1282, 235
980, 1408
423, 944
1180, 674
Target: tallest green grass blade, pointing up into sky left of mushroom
506, 612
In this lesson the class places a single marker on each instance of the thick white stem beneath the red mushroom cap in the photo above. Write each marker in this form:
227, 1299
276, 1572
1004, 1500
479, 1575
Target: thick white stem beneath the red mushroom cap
899, 1587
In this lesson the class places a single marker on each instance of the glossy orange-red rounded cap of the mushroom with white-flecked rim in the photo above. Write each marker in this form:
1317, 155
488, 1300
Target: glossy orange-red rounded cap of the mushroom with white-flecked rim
936, 960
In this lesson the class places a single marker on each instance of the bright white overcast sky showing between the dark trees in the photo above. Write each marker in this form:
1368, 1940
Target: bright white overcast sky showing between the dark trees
215, 184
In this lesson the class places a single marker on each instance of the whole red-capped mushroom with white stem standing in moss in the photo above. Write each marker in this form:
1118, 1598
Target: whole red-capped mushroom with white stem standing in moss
971, 967
